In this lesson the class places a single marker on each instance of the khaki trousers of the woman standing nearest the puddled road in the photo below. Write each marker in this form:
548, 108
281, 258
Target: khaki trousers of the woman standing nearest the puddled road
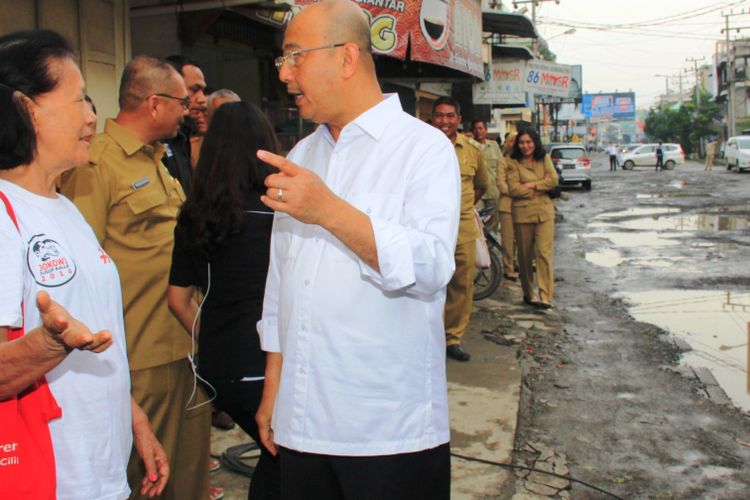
535, 242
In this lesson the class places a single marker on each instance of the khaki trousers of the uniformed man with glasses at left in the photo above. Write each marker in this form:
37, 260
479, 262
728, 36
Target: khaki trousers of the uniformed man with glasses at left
163, 393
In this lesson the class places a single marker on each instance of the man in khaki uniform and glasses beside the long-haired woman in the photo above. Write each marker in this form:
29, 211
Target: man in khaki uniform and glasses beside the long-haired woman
131, 202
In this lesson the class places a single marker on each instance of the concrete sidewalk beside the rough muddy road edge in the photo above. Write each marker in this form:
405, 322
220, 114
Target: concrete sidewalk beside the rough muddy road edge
483, 394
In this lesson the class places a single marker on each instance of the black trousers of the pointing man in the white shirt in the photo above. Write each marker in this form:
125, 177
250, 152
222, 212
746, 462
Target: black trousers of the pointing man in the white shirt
423, 475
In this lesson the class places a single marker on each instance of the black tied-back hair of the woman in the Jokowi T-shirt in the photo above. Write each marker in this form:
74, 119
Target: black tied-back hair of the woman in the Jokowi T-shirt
25, 71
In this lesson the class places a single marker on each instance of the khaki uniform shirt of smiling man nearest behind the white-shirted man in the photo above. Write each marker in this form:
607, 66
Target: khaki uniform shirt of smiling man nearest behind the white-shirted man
473, 176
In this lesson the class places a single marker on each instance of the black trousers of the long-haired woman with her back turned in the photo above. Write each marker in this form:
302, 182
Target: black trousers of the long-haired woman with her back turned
241, 400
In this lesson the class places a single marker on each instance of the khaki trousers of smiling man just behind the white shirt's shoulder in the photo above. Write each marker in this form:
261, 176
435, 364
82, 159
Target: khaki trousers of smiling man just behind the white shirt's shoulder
460, 293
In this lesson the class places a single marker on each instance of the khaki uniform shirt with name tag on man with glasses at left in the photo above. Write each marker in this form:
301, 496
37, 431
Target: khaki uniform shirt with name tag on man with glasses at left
131, 202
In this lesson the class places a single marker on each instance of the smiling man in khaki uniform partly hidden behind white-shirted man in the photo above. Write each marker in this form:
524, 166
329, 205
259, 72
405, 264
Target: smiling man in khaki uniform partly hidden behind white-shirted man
446, 115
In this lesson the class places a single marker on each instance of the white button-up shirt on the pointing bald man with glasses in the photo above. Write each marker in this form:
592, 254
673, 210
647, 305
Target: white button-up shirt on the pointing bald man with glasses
364, 352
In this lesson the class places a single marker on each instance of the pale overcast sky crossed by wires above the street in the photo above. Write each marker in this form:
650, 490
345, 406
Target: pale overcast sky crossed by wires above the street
616, 56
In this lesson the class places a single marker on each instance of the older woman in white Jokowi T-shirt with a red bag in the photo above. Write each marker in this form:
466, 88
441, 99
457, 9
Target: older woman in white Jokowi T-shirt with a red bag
59, 286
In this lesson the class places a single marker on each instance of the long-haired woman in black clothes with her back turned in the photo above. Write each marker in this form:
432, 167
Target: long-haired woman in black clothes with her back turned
221, 247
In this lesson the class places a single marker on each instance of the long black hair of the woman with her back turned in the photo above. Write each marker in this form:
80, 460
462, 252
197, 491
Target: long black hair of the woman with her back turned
227, 172
